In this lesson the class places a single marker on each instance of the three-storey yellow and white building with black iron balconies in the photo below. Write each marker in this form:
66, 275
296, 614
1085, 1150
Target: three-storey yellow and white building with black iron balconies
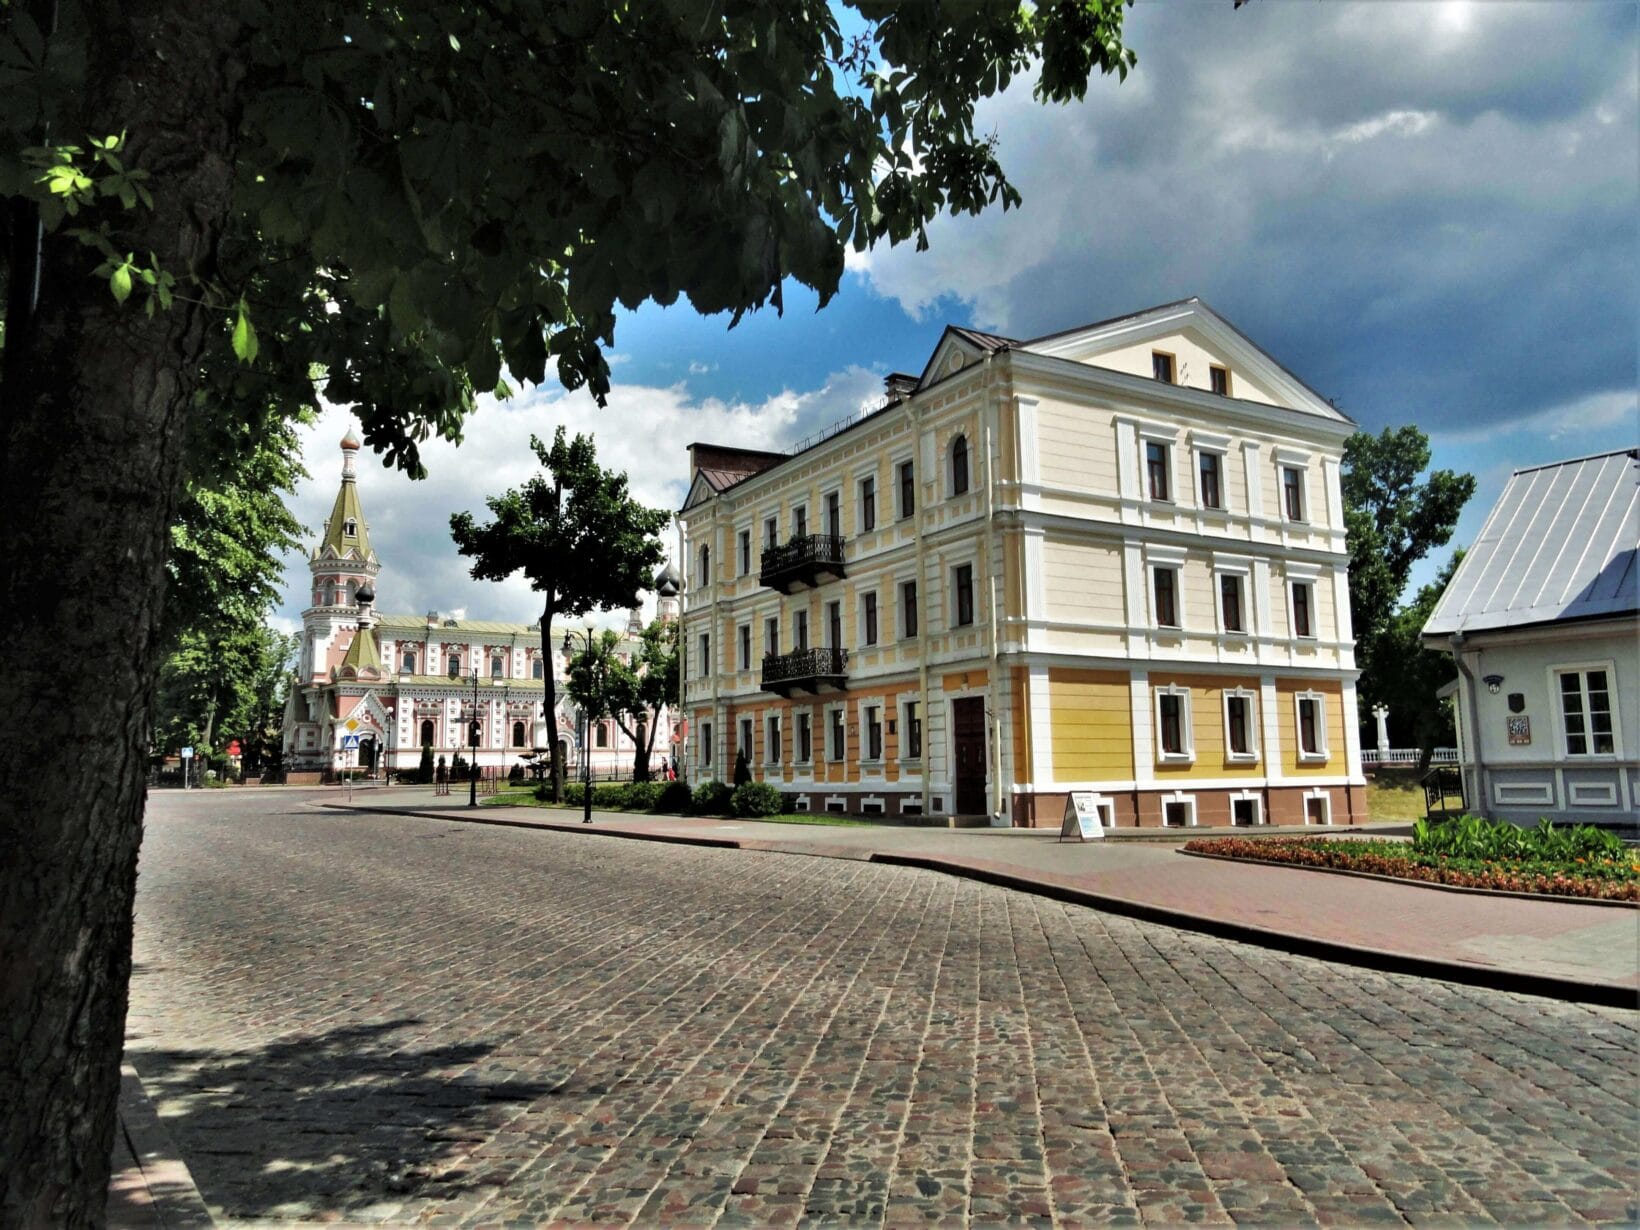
1108, 560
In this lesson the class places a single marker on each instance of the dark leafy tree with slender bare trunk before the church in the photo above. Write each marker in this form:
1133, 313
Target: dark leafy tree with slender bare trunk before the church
578, 535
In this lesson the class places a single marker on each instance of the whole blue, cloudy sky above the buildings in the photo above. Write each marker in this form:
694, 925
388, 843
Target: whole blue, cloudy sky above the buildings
1429, 212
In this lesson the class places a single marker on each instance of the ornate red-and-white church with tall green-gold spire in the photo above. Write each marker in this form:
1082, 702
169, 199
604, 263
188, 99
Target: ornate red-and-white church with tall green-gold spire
399, 683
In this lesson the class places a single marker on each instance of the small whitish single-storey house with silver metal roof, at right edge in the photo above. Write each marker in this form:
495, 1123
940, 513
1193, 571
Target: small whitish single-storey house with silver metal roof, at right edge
1544, 622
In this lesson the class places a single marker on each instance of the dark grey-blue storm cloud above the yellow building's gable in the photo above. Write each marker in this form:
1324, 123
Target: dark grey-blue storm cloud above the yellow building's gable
1429, 212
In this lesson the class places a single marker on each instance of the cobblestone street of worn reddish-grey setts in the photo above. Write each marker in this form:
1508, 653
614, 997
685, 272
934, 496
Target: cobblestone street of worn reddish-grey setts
408, 1021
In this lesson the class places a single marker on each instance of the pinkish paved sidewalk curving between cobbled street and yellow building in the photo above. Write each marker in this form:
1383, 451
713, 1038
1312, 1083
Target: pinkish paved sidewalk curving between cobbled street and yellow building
1569, 950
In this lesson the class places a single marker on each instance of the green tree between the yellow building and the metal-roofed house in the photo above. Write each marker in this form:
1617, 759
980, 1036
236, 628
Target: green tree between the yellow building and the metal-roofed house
1395, 516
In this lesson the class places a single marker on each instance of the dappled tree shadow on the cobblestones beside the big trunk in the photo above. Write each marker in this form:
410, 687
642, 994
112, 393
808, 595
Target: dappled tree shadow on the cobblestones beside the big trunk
342, 1121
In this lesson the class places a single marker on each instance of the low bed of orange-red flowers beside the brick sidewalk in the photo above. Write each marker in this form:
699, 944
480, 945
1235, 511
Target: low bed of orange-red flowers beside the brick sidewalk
1615, 878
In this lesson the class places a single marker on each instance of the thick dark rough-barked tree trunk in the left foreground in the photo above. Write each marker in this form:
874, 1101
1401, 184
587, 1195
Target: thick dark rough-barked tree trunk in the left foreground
93, 422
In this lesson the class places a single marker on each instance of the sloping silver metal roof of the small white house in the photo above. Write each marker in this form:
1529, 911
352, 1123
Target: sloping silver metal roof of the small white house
1559, 545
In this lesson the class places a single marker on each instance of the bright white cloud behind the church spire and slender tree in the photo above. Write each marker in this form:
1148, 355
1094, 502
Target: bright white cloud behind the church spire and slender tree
644, 432
